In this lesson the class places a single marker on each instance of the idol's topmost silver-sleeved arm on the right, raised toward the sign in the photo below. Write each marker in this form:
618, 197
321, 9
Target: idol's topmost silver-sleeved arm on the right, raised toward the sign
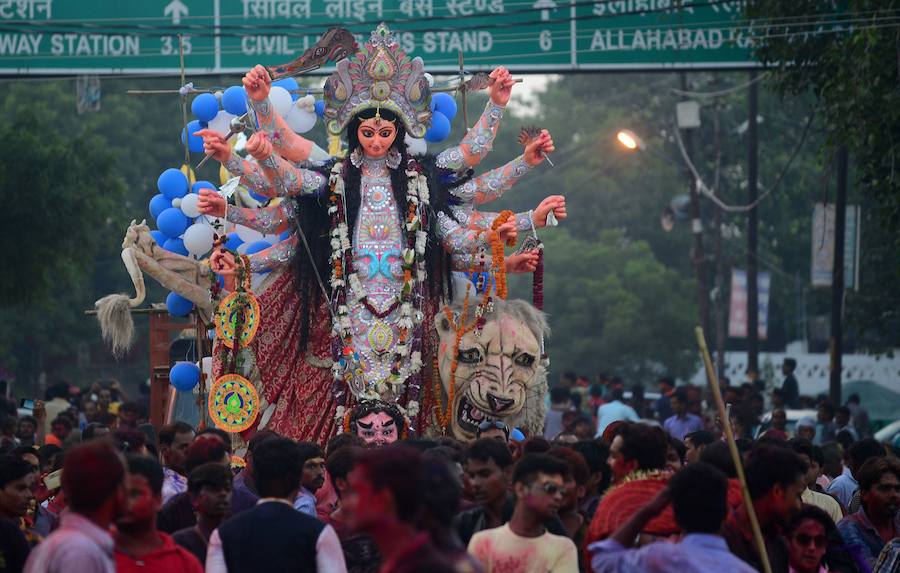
480, 139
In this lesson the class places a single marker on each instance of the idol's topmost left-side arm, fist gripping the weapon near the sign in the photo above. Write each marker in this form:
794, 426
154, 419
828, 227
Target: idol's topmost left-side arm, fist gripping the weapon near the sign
264, 117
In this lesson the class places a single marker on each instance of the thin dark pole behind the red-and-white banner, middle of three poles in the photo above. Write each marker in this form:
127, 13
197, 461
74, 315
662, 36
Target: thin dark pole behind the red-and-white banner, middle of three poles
752, 228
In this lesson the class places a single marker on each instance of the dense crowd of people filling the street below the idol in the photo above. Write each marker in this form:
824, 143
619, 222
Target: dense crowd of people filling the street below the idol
616, 484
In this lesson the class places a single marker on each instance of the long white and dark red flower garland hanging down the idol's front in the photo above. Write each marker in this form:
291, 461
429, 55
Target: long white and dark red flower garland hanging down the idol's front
406, 364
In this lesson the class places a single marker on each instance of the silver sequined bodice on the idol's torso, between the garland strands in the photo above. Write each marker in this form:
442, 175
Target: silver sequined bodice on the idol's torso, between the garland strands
377, 244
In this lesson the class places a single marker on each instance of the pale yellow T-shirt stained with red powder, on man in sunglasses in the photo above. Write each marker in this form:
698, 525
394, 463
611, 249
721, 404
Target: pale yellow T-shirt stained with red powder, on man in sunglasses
502, 551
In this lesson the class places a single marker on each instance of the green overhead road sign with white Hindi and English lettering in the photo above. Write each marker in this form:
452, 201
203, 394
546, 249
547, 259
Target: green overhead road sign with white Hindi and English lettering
135, 36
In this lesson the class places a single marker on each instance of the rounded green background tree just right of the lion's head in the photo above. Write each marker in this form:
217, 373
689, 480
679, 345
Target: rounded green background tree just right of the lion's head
614, 307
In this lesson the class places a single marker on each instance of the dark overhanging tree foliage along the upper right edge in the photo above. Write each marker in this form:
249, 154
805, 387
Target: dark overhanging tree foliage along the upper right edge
853, 73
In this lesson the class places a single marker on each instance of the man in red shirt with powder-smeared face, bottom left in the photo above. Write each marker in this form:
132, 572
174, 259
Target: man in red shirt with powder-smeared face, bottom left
139, 546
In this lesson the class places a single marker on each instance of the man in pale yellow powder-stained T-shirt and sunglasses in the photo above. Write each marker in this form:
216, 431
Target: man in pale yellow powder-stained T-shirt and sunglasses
524, 545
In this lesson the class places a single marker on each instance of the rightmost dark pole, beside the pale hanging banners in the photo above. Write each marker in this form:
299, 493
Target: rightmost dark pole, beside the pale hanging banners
836, 344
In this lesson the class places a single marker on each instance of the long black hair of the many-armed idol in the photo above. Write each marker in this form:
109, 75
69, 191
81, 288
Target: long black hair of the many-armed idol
313, 219
